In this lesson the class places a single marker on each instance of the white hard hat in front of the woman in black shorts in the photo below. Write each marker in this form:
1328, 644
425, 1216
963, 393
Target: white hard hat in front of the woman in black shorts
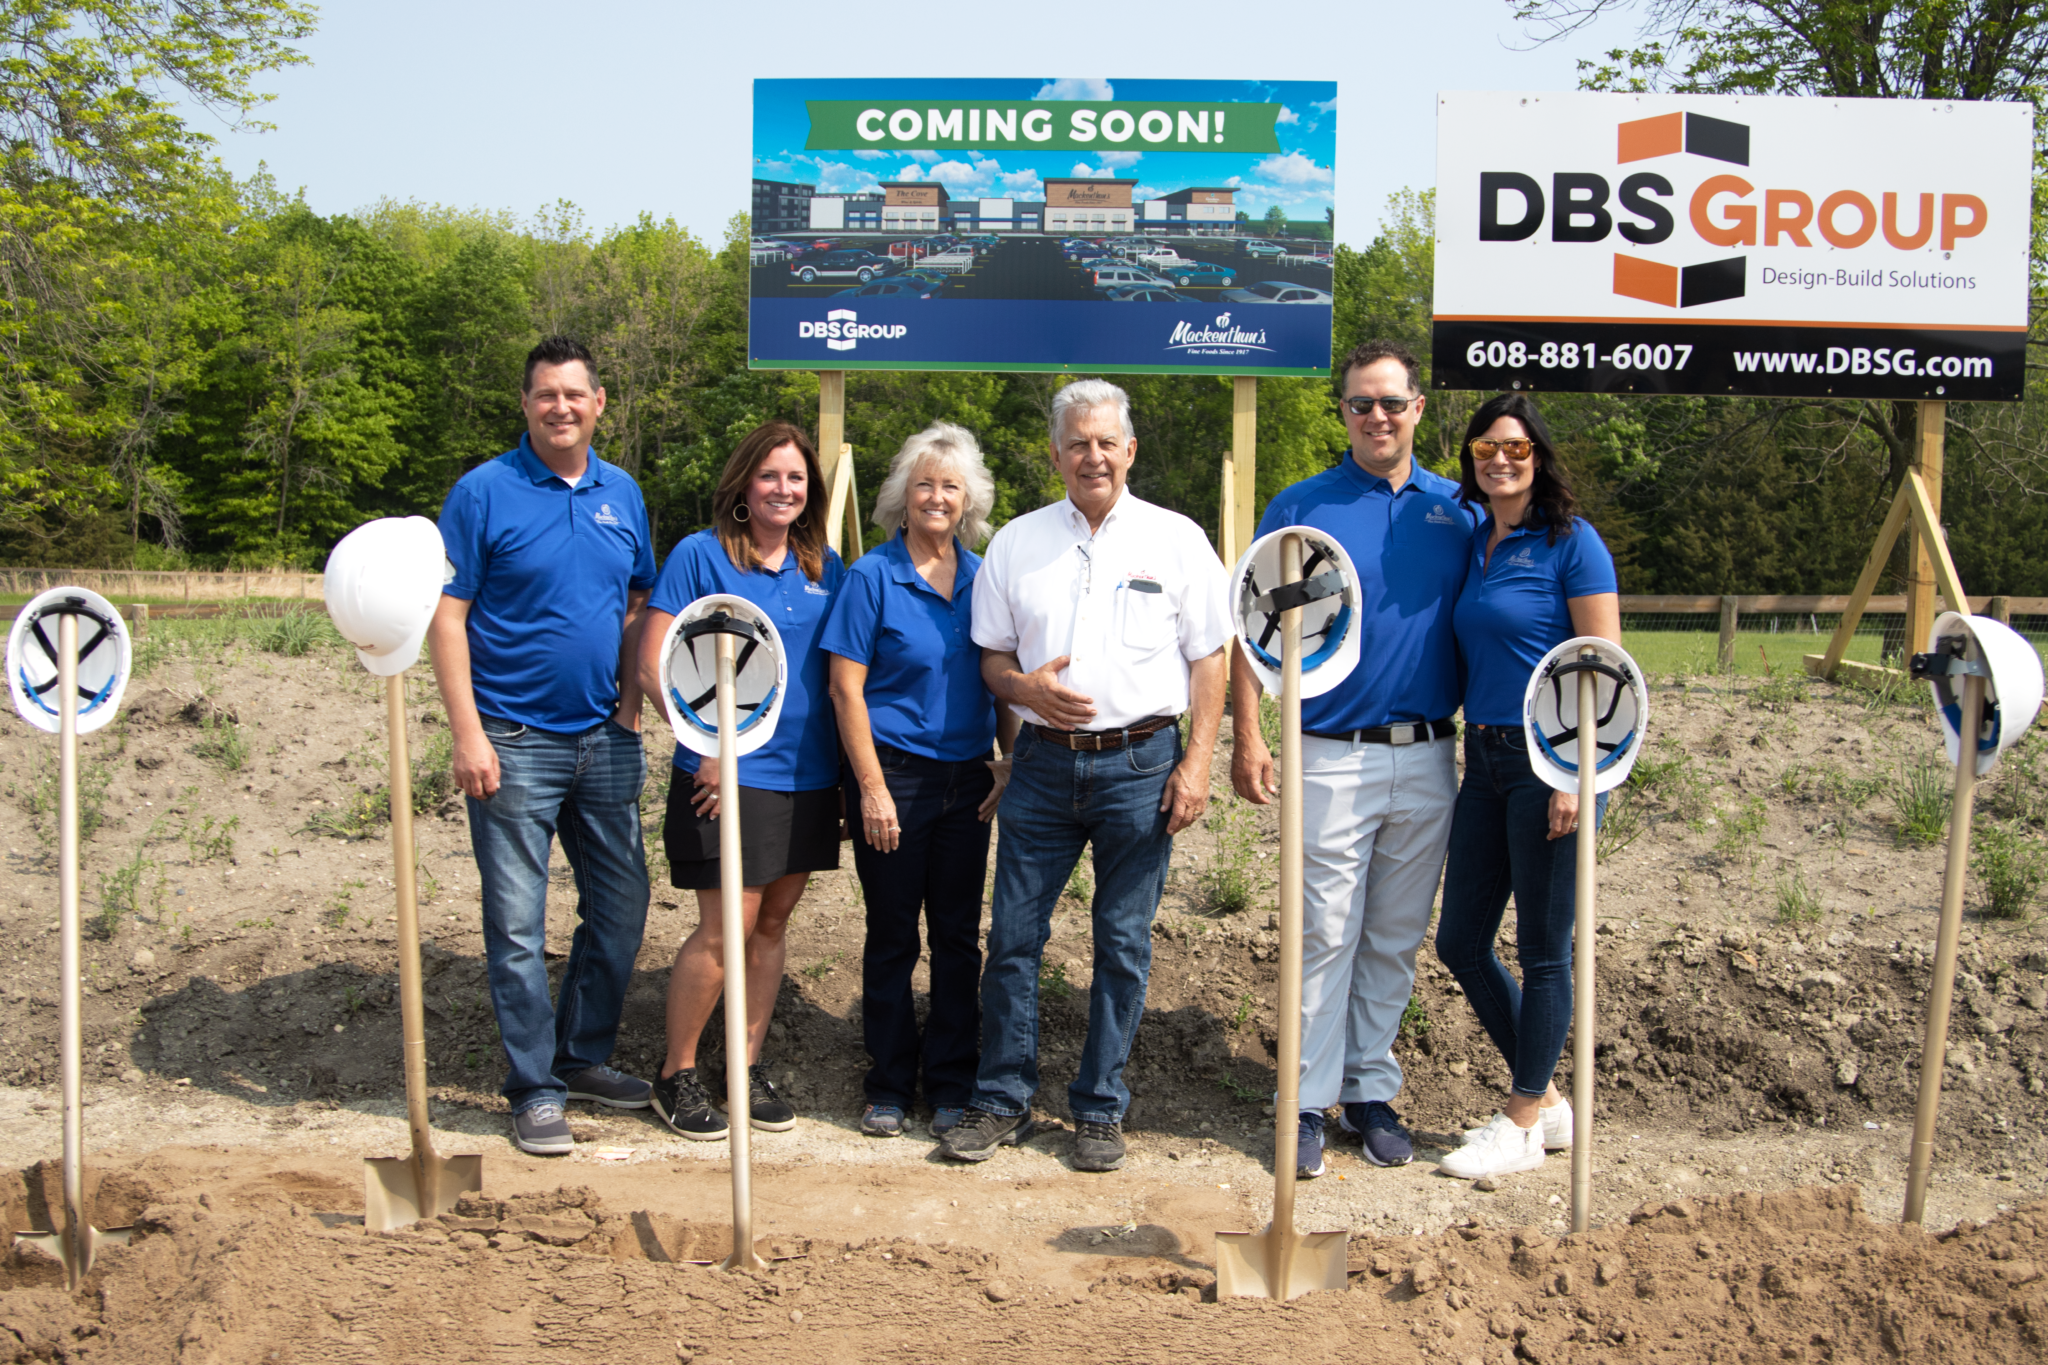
691, 674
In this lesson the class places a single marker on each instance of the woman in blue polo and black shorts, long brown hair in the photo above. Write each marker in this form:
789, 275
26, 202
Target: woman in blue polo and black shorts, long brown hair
767, 545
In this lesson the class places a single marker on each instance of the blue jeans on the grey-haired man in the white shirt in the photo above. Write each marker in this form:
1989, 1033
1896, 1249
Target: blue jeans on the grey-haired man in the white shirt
1060, 801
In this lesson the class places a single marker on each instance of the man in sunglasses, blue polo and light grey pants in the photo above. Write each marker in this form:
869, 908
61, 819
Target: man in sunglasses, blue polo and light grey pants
1379, 754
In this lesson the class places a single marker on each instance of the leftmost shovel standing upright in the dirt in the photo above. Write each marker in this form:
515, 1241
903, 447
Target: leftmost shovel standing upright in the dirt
79, 1241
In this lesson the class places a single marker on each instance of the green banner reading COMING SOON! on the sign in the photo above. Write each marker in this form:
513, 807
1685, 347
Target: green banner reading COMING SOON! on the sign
1041, 126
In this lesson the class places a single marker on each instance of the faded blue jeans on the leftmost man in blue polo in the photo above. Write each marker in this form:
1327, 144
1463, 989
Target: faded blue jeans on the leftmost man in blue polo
587, 789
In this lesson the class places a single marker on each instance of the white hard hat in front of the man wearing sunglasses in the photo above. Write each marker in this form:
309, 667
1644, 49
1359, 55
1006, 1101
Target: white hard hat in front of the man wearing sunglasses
1328, 595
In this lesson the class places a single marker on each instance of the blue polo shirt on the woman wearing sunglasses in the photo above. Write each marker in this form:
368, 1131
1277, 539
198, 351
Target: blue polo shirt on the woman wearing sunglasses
1512, 611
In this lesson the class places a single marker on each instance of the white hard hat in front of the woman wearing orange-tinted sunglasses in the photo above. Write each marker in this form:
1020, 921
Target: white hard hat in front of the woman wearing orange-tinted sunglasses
1551, 713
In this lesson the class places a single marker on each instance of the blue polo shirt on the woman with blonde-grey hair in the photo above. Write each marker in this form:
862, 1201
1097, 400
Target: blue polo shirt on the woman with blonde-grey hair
925, 670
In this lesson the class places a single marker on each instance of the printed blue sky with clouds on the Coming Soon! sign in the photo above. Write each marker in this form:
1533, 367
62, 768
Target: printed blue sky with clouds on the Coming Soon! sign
1299, 177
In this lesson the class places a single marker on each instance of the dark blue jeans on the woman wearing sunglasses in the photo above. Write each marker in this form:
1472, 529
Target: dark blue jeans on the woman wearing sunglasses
1500, 844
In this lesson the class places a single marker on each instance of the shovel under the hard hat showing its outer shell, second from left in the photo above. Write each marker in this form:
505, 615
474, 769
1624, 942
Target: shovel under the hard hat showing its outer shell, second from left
404, 1190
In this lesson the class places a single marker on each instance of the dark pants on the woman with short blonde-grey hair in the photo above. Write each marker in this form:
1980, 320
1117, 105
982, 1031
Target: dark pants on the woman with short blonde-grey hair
937, 869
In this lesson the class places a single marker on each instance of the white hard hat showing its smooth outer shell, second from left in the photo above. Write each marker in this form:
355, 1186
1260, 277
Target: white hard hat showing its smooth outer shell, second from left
382, 586
